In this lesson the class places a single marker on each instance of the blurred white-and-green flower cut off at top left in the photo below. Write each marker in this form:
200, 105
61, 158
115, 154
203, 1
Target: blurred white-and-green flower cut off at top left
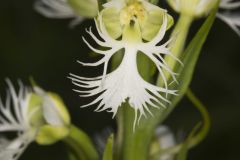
78, 10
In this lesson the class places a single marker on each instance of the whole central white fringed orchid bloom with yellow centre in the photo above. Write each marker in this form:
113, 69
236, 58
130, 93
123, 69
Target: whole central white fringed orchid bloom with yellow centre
125, 83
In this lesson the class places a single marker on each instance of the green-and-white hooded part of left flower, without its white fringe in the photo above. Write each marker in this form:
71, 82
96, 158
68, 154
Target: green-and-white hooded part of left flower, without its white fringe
54, 117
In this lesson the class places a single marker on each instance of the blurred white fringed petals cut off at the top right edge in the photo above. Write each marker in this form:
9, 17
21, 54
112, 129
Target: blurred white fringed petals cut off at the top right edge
233, 20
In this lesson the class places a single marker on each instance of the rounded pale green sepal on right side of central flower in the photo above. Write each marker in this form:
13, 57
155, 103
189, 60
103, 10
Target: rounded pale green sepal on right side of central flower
153, 23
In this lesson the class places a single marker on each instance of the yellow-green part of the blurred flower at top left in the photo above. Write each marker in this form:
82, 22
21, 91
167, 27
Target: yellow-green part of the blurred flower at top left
85, 8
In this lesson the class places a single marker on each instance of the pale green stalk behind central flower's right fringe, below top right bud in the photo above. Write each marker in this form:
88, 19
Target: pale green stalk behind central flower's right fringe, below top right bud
179, 36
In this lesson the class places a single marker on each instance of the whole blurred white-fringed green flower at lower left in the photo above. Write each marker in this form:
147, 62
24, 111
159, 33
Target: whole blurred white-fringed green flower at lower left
26, 113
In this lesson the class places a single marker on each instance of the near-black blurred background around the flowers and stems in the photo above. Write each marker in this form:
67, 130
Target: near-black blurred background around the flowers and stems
47, 49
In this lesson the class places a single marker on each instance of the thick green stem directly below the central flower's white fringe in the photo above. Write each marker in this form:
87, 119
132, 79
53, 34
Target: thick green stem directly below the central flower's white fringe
132, 145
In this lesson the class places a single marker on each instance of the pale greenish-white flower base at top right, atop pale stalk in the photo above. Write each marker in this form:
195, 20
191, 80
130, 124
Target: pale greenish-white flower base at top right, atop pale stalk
193, 8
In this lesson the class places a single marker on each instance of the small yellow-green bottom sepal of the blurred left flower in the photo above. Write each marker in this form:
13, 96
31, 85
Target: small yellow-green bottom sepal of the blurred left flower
48, 134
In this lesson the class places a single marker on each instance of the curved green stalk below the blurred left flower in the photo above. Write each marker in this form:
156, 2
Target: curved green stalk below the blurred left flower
80, 145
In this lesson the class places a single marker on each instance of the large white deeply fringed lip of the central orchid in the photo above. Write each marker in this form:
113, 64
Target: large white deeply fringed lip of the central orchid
125, 83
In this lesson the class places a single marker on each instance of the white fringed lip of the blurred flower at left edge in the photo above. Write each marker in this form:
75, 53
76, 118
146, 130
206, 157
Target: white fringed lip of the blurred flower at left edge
15, 118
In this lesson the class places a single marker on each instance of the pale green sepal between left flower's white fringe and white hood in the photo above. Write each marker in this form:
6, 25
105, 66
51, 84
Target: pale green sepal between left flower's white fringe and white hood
34, 111
